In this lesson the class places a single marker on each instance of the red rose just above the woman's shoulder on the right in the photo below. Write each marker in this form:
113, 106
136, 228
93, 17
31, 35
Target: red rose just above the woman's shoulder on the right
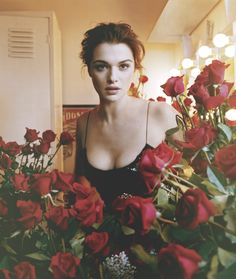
174, 86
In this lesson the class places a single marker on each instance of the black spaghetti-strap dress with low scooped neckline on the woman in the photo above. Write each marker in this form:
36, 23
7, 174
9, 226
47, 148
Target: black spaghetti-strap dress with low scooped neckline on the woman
114, 182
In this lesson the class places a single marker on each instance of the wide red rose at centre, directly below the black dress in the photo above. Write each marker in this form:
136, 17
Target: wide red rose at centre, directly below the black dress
136, 212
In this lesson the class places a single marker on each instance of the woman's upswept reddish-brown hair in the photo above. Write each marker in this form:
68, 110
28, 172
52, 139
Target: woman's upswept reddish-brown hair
112, 33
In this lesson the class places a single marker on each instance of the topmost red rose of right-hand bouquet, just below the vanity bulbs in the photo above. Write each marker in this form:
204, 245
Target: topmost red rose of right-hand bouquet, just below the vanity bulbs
217, 71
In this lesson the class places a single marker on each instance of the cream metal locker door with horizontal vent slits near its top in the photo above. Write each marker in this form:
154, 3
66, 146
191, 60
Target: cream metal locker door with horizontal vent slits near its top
24, 76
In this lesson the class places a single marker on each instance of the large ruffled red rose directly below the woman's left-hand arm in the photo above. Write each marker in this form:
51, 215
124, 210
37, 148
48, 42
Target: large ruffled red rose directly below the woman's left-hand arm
88, 208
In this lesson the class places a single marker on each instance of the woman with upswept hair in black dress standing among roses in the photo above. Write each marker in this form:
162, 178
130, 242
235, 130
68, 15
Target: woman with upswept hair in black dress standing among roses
112, 136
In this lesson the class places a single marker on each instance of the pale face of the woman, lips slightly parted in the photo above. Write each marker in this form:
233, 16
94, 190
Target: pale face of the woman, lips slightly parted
111, 70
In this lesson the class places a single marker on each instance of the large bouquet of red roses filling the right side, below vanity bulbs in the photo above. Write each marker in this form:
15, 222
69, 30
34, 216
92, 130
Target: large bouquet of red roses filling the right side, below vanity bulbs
193, 181
